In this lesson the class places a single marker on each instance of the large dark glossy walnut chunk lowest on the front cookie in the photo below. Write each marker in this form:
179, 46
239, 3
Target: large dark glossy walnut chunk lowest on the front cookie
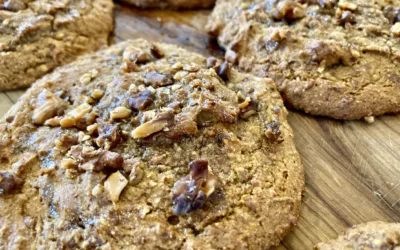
191, 192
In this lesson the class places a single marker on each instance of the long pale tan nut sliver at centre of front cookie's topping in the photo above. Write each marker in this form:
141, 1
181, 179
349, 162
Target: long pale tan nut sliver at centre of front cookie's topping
155, 125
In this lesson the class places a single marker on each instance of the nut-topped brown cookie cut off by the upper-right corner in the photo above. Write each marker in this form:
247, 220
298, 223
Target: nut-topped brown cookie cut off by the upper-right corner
336, 58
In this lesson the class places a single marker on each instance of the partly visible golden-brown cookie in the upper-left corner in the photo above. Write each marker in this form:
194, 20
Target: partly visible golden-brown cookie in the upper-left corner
36, 36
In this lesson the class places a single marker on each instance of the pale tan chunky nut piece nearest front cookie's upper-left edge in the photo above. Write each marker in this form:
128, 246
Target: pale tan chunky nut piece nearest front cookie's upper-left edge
47, 106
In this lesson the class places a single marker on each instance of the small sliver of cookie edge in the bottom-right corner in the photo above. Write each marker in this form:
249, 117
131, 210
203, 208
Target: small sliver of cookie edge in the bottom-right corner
372, 235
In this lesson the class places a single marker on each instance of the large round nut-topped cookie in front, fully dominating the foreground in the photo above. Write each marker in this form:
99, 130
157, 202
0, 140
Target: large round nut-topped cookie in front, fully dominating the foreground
101, 153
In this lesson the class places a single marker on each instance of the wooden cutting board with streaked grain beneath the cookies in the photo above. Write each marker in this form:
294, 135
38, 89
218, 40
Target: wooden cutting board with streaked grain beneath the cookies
352, 168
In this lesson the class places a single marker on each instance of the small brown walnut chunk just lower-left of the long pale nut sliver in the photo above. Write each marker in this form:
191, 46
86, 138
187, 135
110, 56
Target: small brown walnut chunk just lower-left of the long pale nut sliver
109, 134
